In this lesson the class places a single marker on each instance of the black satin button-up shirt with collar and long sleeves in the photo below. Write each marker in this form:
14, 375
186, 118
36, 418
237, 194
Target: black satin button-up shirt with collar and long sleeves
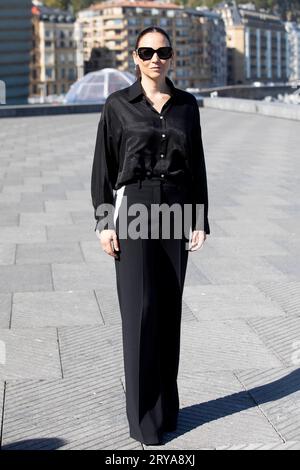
135, 141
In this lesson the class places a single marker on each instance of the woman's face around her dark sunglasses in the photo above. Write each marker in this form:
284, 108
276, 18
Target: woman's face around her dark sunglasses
155, 66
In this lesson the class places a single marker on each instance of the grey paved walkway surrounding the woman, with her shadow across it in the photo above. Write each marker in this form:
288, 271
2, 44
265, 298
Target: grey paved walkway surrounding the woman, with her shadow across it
61, 365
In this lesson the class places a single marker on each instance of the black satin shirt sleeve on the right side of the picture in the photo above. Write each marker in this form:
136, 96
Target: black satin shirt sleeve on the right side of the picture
199, 189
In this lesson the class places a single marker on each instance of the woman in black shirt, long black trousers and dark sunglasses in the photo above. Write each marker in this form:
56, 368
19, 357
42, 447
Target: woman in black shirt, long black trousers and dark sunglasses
149, 149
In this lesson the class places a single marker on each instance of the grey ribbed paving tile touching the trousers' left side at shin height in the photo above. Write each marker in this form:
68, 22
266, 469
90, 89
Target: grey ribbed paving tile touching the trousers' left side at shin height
91, 349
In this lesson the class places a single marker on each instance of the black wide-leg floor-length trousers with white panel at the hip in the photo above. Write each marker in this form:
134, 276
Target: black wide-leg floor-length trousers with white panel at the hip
150, 274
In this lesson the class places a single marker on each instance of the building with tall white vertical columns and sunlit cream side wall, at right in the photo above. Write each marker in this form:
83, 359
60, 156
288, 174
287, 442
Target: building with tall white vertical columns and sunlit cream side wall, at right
257, 44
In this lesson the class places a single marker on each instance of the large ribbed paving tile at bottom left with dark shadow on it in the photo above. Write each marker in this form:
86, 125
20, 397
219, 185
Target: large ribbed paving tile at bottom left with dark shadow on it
66, 414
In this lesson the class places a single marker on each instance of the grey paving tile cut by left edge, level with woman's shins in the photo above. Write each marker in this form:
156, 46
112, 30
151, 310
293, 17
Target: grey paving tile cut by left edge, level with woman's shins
30, 353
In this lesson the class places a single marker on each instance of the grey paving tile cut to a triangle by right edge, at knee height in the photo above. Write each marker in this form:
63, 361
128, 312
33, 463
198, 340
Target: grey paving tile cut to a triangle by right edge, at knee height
285, 294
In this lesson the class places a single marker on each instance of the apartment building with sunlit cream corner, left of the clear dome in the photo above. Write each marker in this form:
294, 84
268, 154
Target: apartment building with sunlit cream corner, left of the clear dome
53, 56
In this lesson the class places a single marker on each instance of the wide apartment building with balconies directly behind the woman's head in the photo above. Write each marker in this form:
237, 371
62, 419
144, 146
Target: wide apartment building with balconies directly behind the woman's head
109, 31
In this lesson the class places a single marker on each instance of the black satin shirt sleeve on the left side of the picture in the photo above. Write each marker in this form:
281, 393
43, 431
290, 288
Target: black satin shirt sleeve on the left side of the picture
104, 172
